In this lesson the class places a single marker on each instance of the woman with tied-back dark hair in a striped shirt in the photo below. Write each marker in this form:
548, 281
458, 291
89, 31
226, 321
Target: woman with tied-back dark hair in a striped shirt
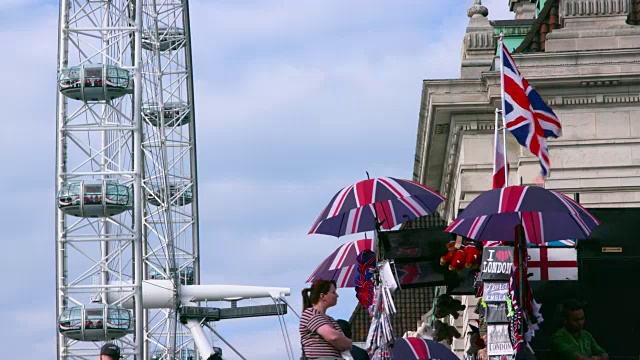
320, 334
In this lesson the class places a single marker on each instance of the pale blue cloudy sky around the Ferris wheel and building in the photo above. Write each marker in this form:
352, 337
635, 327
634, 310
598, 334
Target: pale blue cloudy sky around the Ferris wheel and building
294, 100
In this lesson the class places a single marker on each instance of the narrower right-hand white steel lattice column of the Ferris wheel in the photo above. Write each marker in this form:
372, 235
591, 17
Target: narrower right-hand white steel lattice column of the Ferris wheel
169, 155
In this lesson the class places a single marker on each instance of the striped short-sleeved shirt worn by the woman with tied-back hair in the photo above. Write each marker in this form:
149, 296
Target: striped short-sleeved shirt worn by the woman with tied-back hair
314, 345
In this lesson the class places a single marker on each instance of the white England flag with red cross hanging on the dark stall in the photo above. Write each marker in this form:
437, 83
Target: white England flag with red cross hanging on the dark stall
553, 264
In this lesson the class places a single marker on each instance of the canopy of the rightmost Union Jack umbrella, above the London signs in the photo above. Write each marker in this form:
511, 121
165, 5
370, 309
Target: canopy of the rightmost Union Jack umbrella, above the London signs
545, 215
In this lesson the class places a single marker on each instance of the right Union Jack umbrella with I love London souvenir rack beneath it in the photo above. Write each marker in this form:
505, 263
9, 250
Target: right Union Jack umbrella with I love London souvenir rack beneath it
514, 218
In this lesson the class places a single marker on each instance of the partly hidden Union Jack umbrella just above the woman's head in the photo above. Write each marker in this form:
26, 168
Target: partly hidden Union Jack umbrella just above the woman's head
341, 265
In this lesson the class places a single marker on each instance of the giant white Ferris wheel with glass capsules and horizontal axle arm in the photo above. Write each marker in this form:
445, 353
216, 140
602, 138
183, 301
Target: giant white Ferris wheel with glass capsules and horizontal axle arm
127, 251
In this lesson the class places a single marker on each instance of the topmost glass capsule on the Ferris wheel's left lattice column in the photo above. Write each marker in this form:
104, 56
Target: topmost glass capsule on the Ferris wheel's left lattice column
95, 82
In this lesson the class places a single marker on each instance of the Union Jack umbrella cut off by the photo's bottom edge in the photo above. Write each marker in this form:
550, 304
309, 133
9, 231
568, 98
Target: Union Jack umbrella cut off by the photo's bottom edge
421, 349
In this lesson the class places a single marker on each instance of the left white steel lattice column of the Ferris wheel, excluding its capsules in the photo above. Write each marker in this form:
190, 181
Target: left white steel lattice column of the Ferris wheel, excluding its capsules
100, 259
